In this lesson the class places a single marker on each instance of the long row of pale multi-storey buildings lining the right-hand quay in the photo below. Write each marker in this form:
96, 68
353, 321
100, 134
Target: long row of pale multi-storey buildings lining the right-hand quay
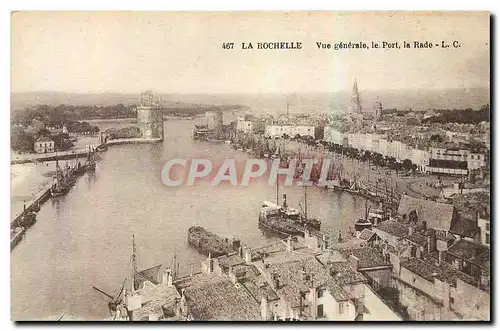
438, 160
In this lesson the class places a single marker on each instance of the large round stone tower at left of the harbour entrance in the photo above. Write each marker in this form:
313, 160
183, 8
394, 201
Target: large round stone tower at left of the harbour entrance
150, 116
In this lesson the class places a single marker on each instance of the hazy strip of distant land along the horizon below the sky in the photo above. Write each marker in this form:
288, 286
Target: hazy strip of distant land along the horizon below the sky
276, 103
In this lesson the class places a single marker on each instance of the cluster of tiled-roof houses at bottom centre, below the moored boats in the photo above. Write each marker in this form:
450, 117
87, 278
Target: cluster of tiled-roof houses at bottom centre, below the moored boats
286, 280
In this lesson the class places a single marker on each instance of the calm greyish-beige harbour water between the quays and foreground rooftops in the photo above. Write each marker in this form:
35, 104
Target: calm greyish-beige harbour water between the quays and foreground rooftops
84, 238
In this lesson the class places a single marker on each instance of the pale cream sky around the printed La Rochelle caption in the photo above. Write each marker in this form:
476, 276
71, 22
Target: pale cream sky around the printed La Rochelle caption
181, 52
